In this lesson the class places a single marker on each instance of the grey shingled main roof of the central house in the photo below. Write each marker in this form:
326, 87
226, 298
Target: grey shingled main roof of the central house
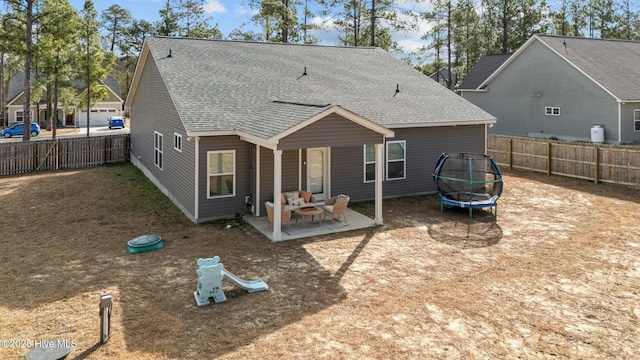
266, 88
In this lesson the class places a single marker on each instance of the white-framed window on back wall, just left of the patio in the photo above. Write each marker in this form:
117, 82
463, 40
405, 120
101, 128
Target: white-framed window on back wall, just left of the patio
221, 173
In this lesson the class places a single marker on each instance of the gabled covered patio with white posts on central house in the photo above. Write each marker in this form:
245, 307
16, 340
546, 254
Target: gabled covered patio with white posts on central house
313, 127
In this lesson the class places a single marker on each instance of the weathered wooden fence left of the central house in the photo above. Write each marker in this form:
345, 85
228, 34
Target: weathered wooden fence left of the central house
63, 153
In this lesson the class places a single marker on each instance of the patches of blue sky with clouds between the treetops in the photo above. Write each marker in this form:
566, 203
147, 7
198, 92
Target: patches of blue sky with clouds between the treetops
230, 14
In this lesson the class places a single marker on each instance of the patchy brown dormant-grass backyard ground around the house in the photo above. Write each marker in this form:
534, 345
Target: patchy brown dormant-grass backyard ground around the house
556, 275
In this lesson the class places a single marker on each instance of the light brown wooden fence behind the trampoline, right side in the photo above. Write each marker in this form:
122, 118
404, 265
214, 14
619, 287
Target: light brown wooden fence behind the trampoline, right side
616, 164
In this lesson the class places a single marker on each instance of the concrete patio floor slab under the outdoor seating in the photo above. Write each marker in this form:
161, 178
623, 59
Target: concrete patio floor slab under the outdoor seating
299, 228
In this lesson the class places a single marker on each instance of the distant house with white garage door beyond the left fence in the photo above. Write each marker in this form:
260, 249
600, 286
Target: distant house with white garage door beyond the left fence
99, 113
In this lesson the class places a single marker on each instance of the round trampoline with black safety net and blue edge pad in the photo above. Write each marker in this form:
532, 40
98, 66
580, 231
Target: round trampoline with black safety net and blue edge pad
465, 180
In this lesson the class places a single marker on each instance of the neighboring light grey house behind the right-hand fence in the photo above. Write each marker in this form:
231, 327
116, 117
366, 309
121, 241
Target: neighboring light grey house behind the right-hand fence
560, 87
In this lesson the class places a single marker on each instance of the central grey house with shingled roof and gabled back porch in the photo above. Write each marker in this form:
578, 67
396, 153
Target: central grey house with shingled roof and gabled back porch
222, 126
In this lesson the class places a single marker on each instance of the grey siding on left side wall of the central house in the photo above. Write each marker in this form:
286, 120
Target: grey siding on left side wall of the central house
153, 110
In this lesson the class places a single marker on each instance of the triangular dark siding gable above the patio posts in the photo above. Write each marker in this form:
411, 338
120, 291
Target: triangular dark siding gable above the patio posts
331, 131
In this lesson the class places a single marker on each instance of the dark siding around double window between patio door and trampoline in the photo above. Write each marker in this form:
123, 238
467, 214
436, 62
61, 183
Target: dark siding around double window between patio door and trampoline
423, 147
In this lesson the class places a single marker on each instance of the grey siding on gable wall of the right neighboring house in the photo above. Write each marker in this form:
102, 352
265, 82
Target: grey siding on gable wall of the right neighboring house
537, 70
